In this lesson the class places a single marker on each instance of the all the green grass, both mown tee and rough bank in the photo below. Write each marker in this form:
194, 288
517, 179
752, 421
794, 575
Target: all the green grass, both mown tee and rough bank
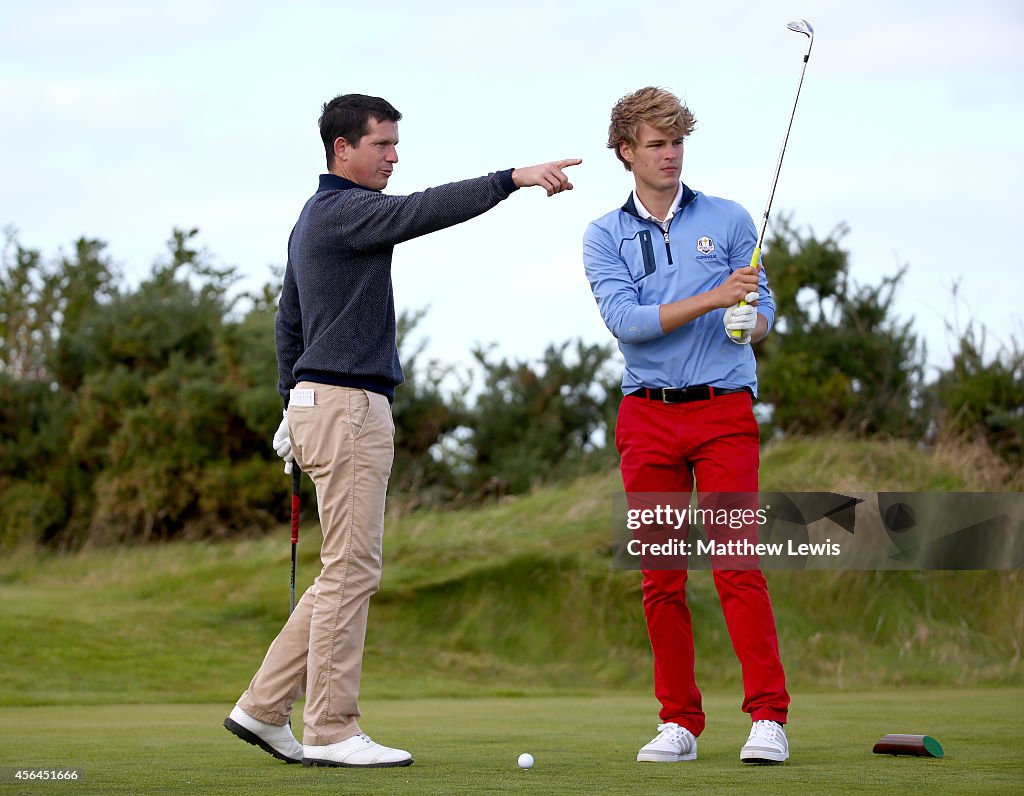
497, 602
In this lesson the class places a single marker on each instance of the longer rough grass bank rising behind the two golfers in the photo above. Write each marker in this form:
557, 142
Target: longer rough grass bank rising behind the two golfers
517, 598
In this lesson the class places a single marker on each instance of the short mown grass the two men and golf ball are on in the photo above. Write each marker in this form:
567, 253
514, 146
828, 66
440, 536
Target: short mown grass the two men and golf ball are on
582, 745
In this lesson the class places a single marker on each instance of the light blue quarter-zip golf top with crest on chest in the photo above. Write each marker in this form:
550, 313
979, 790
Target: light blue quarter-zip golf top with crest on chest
635, 266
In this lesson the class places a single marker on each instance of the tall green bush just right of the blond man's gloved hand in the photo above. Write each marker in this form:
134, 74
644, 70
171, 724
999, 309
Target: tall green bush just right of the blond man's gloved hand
837, 360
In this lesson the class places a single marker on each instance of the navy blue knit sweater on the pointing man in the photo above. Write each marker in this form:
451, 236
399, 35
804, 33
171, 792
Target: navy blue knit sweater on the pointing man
336, 322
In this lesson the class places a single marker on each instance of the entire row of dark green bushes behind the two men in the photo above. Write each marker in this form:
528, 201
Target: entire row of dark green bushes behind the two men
131, 414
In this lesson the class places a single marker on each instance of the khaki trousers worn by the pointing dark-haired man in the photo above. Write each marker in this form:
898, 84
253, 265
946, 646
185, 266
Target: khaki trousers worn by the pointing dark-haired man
346, 443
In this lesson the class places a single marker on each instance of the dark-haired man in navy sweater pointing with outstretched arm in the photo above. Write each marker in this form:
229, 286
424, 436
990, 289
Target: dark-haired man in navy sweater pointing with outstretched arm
338, 368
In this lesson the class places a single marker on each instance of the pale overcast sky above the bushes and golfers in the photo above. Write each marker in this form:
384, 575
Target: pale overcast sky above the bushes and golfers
122, 120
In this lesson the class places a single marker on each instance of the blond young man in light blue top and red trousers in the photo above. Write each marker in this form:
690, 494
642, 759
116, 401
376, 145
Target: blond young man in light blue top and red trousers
668, 270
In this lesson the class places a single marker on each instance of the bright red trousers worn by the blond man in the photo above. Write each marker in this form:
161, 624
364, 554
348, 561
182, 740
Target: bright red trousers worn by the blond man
664, 447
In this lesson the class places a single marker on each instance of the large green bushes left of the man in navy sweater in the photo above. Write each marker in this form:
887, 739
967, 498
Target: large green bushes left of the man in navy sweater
135, 414
